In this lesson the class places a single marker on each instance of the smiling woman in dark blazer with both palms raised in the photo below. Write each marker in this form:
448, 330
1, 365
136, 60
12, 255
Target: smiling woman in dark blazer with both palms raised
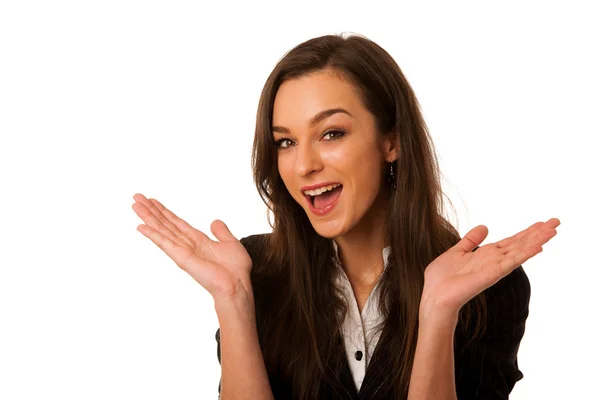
363, 289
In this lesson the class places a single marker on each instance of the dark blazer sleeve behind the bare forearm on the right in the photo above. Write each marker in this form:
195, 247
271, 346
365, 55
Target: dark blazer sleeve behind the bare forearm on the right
487, 368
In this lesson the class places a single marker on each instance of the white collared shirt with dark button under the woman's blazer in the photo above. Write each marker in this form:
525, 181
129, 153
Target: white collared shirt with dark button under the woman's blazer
360, 339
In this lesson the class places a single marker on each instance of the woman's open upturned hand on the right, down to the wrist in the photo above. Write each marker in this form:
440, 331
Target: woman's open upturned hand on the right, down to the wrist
459, 274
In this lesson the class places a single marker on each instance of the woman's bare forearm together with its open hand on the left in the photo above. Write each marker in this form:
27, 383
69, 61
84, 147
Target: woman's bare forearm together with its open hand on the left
223, 268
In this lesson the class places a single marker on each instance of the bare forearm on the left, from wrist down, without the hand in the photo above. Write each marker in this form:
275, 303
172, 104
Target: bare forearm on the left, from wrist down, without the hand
243, 372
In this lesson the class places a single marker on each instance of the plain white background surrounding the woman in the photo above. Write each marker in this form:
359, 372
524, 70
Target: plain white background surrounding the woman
101, 100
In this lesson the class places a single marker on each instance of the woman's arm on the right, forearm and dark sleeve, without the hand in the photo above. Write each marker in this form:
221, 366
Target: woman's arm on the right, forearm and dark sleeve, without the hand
485, 368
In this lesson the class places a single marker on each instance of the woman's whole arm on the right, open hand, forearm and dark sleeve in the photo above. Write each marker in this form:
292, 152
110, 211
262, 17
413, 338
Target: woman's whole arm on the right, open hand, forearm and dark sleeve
487, 368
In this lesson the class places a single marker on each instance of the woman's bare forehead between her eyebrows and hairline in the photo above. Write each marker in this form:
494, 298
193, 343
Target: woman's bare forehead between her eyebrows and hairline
300, 99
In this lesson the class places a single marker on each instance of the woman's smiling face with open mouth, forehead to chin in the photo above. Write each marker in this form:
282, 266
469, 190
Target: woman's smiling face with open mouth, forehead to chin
327, 140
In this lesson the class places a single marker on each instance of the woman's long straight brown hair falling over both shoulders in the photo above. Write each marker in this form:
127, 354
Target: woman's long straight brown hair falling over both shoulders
299, 311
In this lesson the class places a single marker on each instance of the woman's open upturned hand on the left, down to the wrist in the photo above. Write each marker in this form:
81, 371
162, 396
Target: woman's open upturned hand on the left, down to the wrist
222, 267
